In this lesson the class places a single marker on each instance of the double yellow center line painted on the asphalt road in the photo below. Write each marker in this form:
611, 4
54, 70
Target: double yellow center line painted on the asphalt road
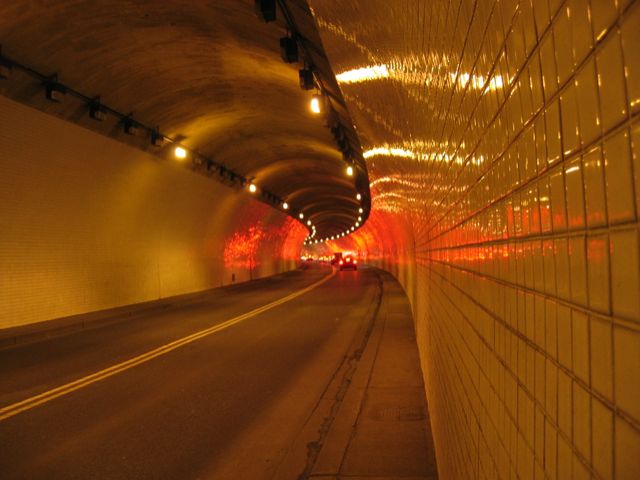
29, 403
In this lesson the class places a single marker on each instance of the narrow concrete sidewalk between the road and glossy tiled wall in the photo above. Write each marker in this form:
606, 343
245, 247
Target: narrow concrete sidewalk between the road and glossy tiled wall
379, 429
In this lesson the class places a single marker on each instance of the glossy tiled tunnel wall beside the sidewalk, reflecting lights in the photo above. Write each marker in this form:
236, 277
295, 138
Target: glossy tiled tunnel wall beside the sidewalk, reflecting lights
503, 143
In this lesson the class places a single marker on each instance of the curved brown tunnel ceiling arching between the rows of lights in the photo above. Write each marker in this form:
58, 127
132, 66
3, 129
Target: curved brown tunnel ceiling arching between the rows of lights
210, 76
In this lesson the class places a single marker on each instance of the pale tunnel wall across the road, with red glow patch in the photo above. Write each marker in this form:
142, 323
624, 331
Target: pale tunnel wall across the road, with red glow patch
89, 223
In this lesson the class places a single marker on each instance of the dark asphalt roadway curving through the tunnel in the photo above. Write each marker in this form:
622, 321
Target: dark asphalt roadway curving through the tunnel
227, 404
